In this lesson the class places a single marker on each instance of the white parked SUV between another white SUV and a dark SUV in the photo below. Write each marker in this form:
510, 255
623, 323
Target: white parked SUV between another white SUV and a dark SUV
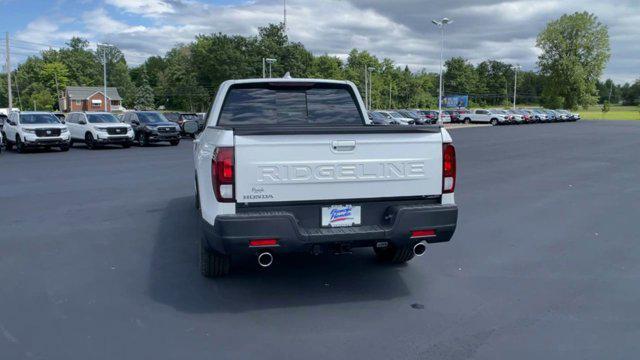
98, 128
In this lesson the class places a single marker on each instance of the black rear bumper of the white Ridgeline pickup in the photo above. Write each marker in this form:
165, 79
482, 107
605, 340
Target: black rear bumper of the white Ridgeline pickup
232, 233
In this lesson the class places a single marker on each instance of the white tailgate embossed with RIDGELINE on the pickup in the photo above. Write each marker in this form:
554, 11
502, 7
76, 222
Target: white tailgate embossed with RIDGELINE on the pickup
312, 167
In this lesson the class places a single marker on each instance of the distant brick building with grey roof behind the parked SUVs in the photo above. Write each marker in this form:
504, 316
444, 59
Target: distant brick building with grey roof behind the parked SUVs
90, 98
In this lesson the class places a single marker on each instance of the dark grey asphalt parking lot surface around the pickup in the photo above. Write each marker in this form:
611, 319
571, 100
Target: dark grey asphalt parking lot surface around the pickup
98, 260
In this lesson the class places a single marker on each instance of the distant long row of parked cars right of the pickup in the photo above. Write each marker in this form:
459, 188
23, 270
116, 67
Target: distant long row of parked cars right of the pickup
490, 116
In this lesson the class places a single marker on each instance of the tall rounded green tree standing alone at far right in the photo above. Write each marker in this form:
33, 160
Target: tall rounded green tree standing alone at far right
575, 50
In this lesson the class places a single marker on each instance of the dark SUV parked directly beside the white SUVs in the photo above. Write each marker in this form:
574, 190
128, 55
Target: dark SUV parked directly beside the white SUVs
151, 127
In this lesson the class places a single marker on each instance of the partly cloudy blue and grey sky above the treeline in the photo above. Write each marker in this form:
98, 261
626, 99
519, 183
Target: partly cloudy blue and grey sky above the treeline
397, 29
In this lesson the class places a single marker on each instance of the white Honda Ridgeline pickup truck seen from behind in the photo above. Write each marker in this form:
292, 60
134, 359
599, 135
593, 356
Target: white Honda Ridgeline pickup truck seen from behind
295, 165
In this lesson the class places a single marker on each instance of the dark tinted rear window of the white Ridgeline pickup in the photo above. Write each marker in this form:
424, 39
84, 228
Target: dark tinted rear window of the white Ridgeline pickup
272, 104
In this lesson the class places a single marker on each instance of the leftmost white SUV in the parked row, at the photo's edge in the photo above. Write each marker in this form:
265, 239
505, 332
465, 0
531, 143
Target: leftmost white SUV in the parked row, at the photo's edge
28, 129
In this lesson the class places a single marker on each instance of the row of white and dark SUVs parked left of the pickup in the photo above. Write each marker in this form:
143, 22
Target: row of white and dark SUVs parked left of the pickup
33, 129
